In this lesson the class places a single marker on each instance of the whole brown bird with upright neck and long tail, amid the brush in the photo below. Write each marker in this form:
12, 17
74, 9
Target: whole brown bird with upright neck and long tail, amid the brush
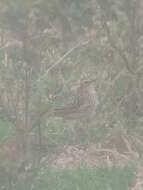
82, 109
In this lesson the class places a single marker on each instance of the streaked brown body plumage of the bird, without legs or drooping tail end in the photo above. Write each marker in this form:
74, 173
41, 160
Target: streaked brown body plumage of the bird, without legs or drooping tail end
84, 105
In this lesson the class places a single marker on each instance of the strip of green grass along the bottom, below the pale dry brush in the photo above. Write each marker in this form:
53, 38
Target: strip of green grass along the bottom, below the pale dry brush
85, 178
